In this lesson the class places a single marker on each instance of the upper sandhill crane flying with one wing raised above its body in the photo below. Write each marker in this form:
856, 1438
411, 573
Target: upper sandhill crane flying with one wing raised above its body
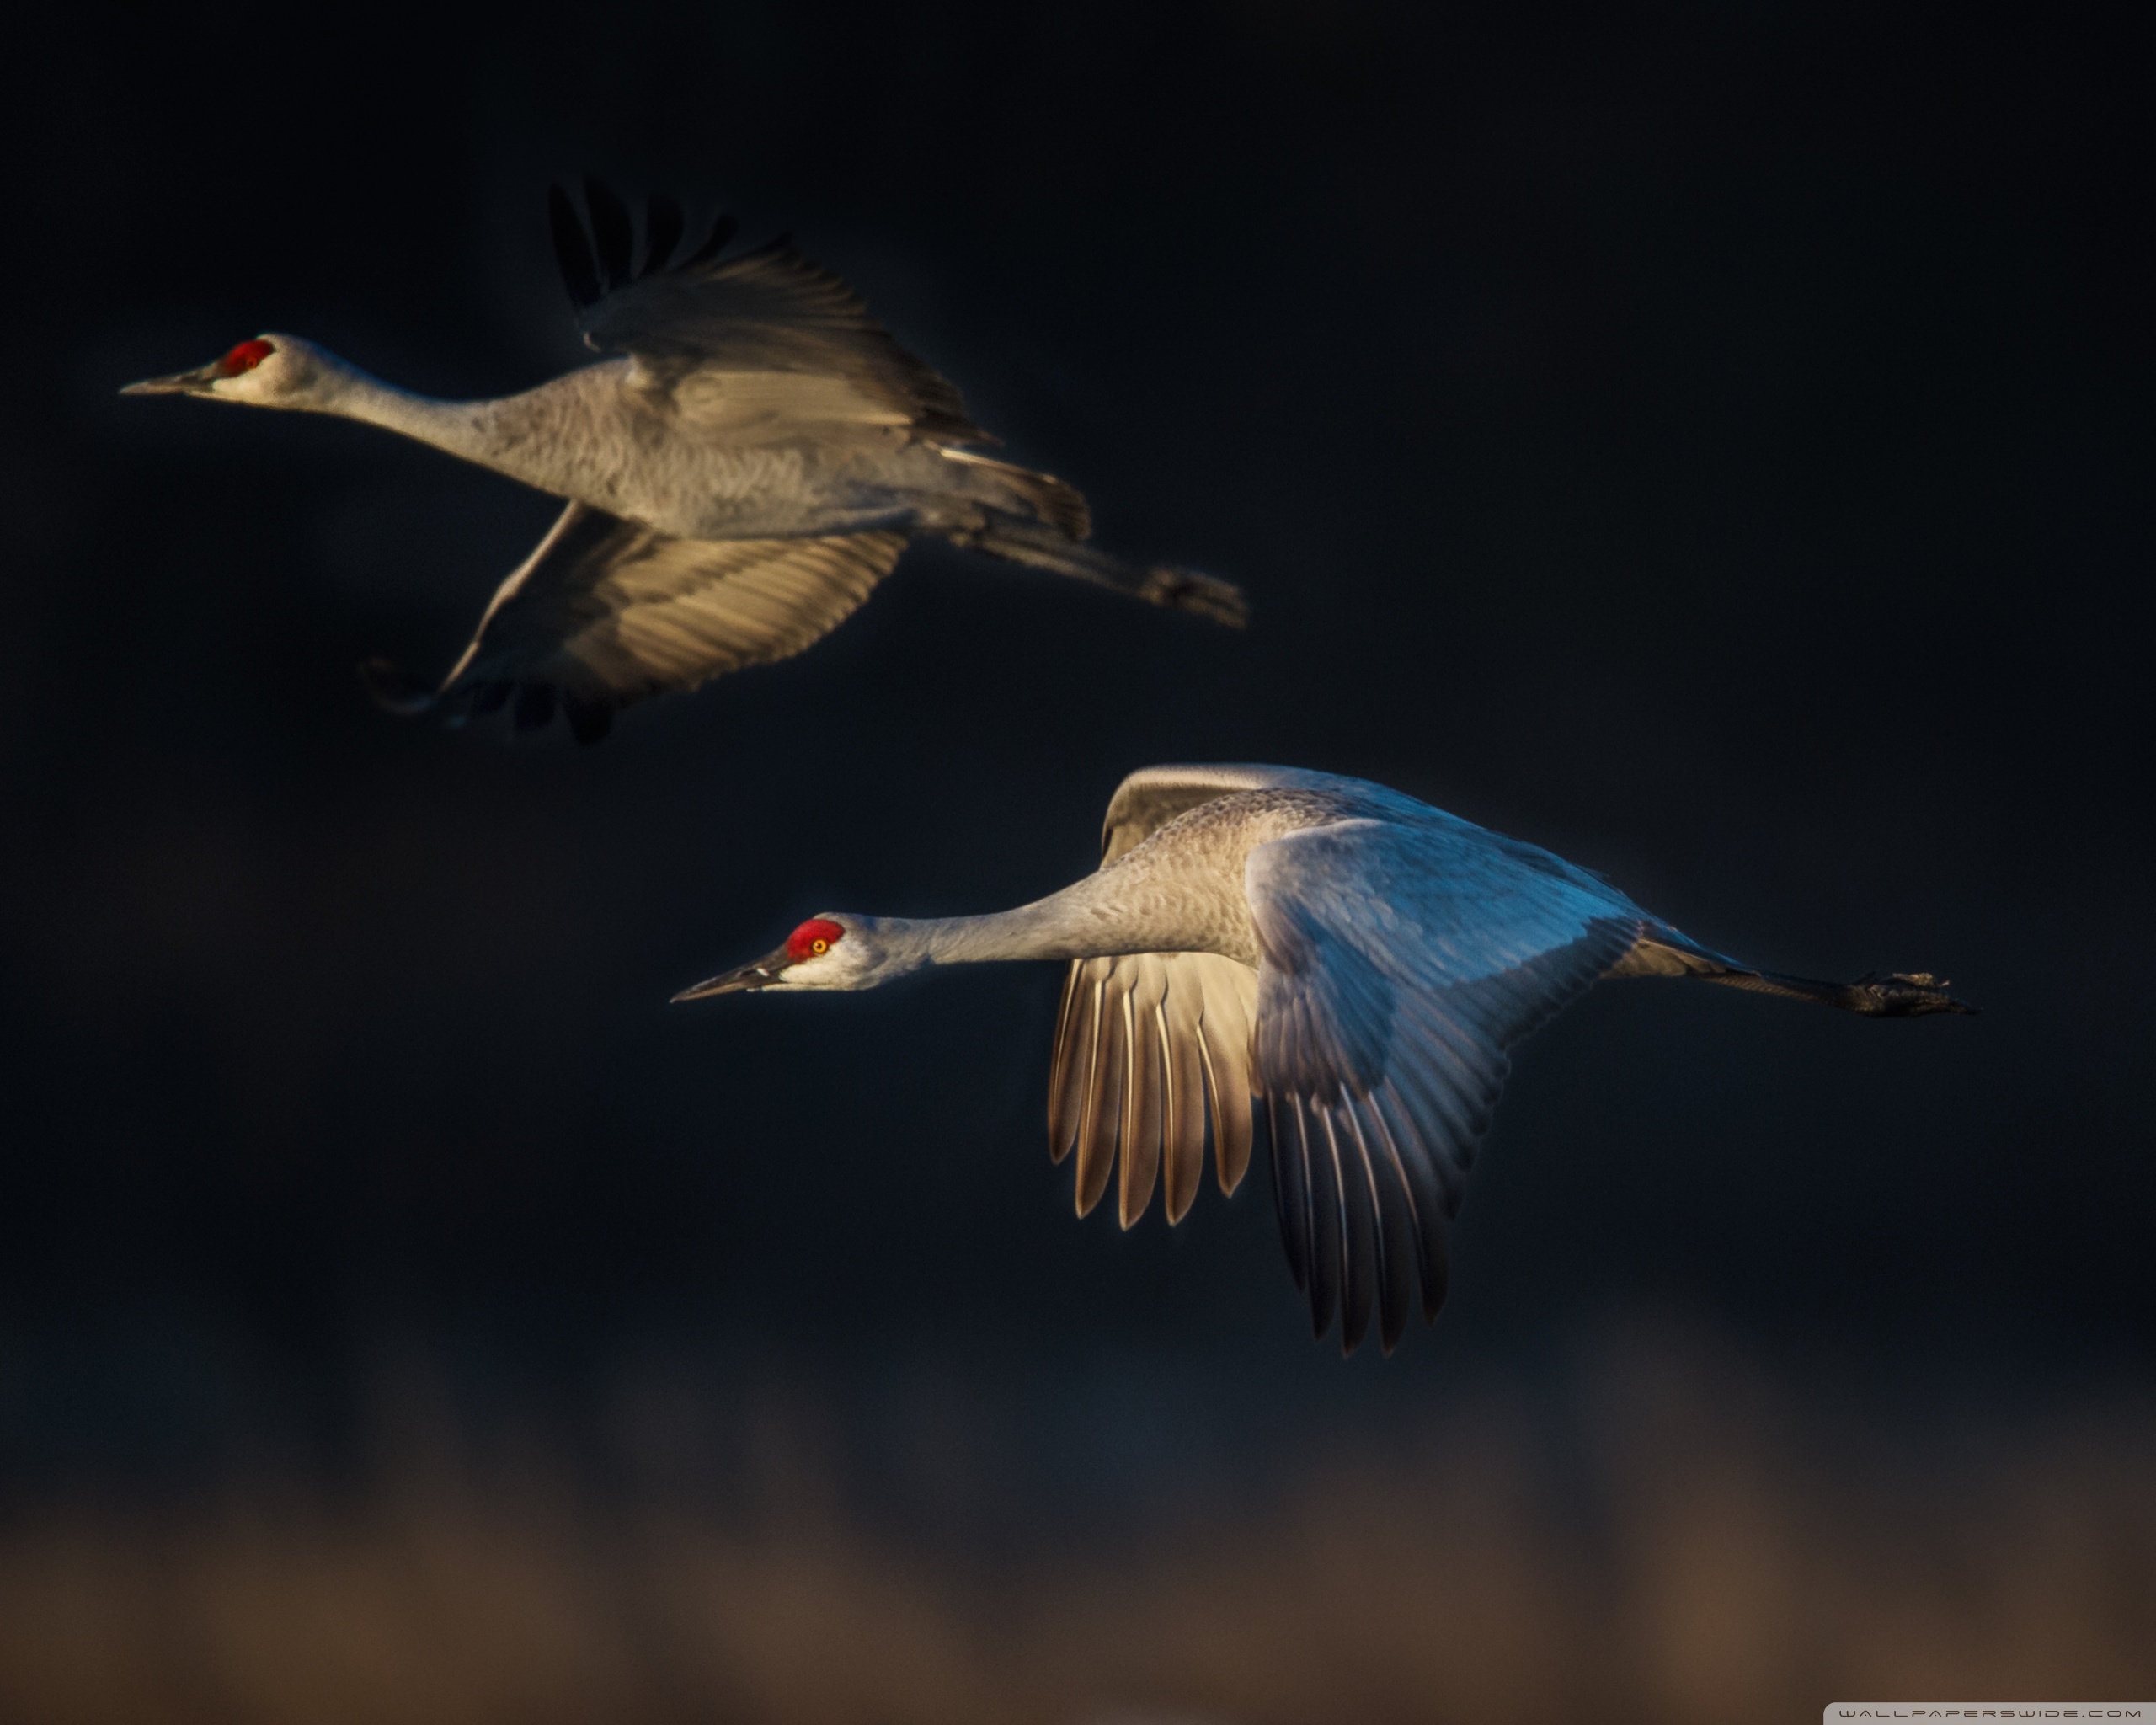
741, 473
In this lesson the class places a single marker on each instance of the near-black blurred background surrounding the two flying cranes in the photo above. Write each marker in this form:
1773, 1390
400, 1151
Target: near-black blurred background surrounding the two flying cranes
1704, 441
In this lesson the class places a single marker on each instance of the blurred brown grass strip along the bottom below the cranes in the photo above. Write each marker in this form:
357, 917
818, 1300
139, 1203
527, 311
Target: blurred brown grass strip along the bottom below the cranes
1650, 1532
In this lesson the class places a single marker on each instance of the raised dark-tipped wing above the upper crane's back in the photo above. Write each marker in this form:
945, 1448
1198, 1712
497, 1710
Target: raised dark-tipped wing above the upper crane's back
766, 329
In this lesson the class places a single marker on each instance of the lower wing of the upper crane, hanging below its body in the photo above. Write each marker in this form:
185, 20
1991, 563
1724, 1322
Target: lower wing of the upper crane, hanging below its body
609, 611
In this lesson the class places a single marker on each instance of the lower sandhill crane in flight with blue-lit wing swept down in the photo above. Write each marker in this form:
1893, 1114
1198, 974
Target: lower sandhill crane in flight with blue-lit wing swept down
1351, 956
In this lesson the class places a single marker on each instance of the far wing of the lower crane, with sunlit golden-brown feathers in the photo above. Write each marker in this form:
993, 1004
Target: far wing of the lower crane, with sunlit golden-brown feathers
1155, 1045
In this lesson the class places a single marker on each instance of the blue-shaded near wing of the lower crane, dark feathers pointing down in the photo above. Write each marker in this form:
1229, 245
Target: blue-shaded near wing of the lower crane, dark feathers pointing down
1398, 965
